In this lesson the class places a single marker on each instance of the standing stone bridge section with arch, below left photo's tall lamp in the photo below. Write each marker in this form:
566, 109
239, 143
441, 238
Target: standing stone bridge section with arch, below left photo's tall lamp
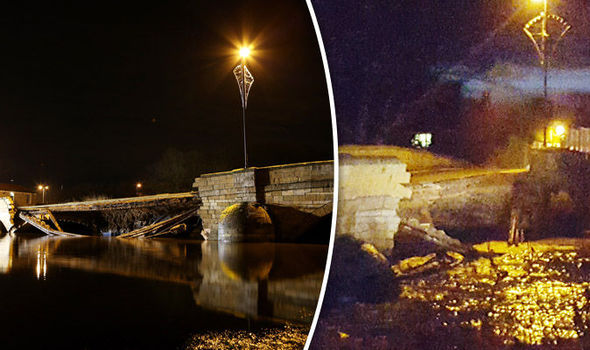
295, 195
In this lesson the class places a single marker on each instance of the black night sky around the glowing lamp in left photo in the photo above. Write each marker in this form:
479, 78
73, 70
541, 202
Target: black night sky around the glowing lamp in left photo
95, 91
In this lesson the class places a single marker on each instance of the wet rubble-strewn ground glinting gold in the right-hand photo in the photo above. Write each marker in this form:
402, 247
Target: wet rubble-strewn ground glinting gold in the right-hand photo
536, 295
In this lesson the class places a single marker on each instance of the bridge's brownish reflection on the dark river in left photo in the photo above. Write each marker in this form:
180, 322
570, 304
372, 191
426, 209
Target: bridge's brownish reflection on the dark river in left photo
251, 280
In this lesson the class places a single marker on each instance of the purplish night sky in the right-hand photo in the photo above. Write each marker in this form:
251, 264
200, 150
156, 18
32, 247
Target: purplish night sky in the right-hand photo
384, 55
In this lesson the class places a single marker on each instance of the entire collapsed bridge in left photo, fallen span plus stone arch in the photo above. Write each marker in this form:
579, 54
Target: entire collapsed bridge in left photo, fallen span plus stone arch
297, 197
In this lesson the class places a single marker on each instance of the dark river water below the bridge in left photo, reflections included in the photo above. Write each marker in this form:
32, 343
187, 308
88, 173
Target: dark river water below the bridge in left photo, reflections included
109, 293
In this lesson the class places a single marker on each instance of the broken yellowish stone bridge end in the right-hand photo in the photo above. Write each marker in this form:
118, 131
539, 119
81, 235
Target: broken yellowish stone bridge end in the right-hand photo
383, 187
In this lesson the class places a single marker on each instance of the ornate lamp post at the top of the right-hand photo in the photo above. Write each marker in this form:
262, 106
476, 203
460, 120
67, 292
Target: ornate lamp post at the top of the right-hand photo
540, 37
